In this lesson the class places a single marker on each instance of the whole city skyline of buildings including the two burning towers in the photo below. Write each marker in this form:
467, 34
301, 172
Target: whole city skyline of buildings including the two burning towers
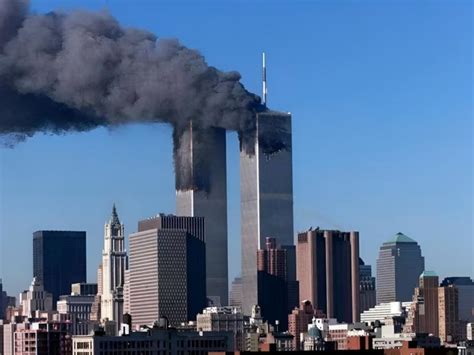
168, 292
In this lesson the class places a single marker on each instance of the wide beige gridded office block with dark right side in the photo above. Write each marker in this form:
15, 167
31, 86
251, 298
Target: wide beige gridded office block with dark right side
167, 270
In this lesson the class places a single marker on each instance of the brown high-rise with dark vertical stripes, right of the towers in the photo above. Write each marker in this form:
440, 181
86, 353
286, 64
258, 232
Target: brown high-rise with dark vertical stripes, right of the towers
328, 272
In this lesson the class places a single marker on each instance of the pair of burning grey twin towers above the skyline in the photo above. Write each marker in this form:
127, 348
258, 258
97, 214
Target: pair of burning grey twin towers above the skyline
266, 198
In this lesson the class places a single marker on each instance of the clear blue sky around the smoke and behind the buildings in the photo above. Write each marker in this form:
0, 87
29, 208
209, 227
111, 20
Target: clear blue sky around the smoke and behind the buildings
381, 97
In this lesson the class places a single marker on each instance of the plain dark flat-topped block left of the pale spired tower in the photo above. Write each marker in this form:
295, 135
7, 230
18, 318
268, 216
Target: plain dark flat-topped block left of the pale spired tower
59, 260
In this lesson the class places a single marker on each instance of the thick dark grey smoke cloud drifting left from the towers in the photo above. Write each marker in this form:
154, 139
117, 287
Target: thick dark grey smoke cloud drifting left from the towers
62, 72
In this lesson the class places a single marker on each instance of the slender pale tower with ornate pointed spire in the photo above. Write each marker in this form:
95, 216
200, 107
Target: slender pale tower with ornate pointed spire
114, 260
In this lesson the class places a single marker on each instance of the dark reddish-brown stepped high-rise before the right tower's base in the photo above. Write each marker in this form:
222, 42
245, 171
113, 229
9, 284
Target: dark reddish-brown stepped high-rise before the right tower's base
272, 283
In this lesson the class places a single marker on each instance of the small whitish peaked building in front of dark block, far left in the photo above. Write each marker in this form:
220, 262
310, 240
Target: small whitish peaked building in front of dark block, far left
35, 299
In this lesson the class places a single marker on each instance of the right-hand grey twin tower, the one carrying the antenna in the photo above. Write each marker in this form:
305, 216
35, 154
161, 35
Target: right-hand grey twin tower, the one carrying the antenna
266, 194
